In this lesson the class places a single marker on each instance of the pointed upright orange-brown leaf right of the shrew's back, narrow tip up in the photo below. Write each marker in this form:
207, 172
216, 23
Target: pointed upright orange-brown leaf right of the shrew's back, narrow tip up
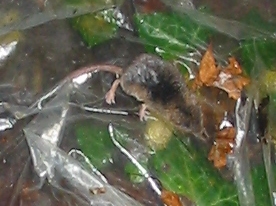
208, 71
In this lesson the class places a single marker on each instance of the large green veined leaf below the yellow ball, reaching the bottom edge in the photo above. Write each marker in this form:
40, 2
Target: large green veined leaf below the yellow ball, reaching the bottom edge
183, 169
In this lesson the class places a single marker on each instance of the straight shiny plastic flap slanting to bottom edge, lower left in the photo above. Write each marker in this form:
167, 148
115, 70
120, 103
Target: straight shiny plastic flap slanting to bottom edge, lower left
60, 167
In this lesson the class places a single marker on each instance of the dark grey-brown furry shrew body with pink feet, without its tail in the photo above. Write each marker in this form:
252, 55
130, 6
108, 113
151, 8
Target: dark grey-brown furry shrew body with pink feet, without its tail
162, 90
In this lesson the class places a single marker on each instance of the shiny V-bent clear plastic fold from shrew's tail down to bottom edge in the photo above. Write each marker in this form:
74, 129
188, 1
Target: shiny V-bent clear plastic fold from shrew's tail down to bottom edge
53, 164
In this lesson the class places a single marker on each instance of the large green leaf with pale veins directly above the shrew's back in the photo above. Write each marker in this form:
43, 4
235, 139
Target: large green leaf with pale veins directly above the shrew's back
171, 35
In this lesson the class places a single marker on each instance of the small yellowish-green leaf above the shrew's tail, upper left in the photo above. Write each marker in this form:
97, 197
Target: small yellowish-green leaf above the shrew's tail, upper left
95, 28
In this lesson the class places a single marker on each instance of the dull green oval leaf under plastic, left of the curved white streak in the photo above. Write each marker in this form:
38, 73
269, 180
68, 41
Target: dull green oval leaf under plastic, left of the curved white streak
95, 143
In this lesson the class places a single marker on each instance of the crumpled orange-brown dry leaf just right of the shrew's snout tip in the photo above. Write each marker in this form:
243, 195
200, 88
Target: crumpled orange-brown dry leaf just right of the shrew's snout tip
223, 146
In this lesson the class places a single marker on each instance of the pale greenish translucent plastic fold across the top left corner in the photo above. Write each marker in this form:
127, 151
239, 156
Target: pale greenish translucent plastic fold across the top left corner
20, 15
